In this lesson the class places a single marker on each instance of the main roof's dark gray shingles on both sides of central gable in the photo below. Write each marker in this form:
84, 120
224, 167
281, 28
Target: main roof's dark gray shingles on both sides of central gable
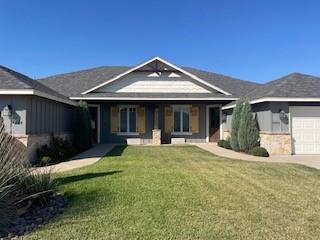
73, 84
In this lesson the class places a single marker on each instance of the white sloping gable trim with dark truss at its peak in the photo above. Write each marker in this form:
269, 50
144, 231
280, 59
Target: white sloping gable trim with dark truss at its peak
154, 65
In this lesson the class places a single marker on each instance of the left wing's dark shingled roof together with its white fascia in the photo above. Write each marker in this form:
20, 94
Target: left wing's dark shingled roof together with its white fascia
14, 83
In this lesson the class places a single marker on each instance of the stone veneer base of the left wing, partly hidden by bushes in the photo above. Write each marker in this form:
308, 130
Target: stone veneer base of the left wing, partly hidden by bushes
34, 141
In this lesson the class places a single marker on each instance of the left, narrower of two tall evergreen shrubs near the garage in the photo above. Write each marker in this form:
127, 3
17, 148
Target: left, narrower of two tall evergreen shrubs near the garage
235, 124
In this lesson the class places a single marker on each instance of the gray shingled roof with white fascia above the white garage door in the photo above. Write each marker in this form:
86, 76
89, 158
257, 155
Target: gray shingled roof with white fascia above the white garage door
294, 87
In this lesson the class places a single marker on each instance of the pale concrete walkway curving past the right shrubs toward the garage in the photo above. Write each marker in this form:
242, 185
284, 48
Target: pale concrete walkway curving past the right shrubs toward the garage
307, 160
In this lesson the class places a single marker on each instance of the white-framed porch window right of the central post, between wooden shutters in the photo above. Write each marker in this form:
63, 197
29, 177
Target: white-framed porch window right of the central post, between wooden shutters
181, 119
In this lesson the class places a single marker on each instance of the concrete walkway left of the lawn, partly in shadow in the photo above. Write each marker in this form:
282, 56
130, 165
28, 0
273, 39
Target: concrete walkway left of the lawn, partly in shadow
86, 158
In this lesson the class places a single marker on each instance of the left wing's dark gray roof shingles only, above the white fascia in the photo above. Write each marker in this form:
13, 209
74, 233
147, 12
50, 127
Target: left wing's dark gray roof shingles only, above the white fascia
10, 79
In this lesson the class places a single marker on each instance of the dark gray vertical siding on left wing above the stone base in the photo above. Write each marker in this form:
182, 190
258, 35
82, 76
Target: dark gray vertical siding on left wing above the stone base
36, 115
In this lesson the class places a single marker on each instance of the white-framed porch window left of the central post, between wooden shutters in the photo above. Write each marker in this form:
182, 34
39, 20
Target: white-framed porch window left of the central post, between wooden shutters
128, 119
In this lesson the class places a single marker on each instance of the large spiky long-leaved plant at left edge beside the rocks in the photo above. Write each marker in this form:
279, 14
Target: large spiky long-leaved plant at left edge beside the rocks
18, 183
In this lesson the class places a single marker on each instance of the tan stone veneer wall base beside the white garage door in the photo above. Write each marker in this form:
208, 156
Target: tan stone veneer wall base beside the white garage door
276, 143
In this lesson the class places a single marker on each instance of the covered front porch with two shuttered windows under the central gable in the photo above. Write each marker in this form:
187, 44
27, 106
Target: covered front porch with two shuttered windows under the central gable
156, 122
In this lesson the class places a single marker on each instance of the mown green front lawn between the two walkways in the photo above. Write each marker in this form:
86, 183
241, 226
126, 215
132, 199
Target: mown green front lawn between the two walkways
171, 192
